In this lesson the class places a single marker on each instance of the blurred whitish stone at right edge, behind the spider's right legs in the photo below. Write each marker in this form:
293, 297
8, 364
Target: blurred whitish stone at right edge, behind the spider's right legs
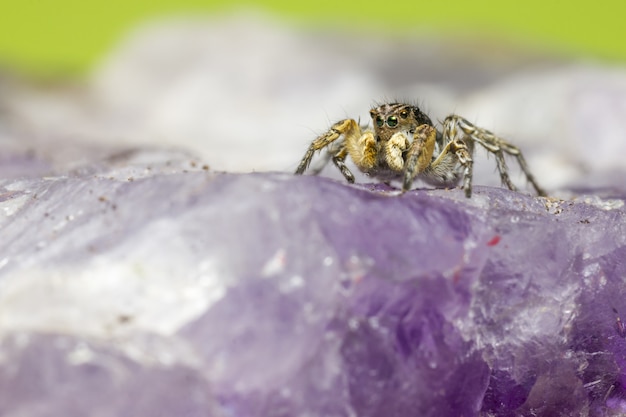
571, 117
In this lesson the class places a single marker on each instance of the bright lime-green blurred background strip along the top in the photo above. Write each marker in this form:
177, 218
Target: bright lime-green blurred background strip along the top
68, 36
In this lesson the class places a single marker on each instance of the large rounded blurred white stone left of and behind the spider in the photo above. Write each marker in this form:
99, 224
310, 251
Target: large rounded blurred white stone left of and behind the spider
244, 93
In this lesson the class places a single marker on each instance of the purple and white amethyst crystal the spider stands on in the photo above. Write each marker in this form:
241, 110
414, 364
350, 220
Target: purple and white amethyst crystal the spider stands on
176, 291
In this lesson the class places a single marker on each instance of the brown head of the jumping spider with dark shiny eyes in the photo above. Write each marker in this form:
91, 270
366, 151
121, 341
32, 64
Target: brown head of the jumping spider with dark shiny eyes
396, 117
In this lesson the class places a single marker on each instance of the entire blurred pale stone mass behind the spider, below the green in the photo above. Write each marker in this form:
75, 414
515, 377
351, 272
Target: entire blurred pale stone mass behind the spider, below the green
248, 93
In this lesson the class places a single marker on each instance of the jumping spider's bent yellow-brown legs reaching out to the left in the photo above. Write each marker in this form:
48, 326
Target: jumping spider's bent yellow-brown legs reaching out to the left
348, 128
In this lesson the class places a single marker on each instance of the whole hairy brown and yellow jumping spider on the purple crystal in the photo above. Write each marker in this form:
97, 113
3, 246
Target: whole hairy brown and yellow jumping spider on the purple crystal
404, 145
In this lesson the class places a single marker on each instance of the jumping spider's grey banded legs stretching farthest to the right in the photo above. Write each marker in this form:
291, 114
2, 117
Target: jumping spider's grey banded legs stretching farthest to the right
497, 146
